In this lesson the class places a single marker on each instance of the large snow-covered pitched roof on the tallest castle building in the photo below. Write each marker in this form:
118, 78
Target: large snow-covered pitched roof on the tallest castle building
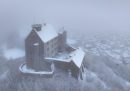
47, 33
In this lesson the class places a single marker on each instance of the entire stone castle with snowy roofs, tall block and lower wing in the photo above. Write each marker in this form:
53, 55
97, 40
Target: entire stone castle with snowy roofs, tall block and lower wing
43, 46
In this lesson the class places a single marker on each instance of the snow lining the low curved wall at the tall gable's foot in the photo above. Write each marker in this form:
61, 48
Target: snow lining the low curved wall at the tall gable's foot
24, 69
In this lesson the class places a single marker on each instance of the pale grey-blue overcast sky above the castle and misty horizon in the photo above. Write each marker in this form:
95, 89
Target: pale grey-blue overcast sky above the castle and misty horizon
74, 15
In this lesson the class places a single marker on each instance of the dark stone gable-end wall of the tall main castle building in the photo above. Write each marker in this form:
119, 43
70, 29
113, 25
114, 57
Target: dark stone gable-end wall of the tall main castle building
34, 52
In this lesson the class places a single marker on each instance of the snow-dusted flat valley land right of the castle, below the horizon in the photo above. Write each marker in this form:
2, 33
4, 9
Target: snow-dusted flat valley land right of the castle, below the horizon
114, 48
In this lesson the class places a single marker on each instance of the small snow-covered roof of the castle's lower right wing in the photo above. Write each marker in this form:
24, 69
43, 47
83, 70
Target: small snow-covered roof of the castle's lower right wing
77, 56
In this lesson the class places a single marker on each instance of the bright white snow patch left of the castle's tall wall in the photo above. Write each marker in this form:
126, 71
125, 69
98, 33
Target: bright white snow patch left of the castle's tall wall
13, 53
